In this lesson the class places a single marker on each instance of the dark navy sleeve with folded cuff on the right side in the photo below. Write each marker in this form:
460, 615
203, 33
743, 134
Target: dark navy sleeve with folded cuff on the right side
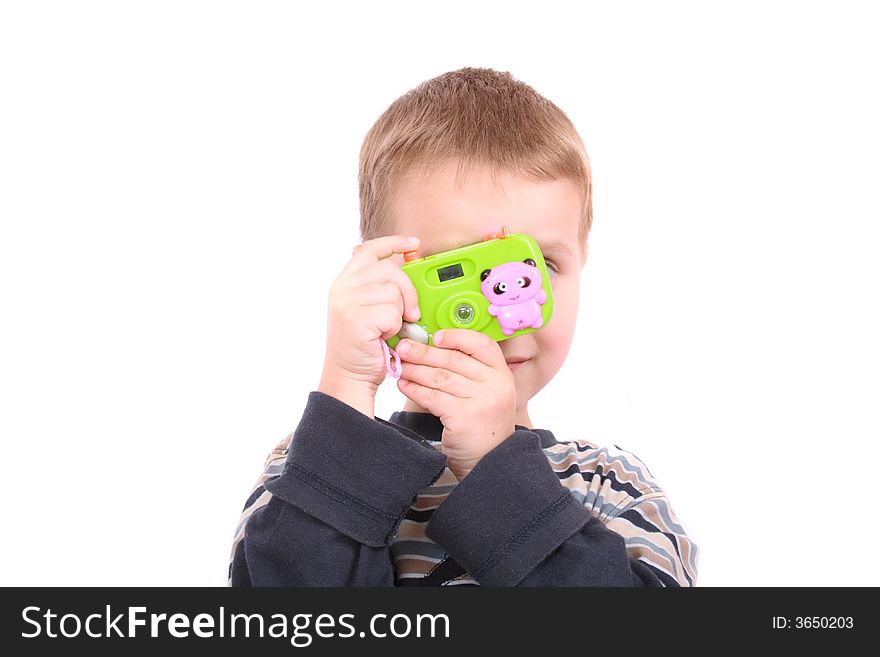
510, 522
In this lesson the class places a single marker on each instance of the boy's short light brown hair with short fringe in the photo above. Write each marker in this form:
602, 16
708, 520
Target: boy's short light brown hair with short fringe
472, 117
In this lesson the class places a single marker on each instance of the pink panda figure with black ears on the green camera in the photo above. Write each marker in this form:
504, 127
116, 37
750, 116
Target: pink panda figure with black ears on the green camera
516, 293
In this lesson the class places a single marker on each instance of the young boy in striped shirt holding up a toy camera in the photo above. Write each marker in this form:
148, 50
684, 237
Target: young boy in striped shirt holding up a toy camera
459, 487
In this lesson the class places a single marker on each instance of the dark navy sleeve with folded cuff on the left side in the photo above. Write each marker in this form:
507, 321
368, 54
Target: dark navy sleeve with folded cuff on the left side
328, 517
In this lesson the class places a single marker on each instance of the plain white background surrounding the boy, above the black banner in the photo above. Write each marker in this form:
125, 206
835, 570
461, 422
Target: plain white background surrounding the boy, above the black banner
178, 190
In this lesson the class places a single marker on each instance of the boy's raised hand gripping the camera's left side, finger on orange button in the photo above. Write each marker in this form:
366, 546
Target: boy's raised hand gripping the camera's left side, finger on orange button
367, 302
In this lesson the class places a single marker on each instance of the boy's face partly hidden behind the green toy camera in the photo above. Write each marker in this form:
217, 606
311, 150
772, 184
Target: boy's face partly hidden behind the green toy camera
444, 215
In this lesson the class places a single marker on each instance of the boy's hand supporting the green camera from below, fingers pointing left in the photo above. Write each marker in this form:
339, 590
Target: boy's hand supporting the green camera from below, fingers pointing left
465, 381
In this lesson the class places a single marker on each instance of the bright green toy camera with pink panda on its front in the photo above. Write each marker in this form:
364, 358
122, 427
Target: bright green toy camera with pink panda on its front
499, 286
